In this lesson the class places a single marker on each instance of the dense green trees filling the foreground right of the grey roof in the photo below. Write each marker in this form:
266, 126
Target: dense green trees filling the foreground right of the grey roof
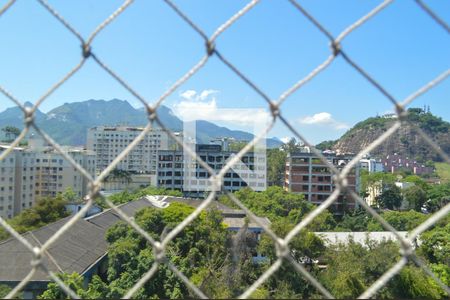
220, 262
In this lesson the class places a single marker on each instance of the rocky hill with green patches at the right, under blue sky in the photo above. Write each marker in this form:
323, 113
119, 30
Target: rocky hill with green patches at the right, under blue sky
405, 140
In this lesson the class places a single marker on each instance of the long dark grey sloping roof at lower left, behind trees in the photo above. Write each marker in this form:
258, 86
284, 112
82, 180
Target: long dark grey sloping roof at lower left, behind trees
83, 244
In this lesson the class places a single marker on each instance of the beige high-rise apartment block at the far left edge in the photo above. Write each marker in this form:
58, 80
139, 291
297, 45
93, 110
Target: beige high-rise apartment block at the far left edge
27, 174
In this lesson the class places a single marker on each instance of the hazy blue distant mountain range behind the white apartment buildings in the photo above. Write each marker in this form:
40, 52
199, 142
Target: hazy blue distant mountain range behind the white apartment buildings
68, 123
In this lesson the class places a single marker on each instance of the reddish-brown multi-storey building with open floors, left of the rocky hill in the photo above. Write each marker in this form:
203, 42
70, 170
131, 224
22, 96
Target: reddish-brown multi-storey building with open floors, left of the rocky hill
305, 173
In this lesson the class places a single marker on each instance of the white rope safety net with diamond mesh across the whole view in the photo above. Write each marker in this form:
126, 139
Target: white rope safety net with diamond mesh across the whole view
275, 106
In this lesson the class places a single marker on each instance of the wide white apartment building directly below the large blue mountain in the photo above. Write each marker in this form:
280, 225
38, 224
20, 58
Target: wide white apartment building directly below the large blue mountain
109, 142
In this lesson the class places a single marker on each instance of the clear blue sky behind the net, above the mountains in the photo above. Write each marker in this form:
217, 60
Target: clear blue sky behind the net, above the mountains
274, 45
